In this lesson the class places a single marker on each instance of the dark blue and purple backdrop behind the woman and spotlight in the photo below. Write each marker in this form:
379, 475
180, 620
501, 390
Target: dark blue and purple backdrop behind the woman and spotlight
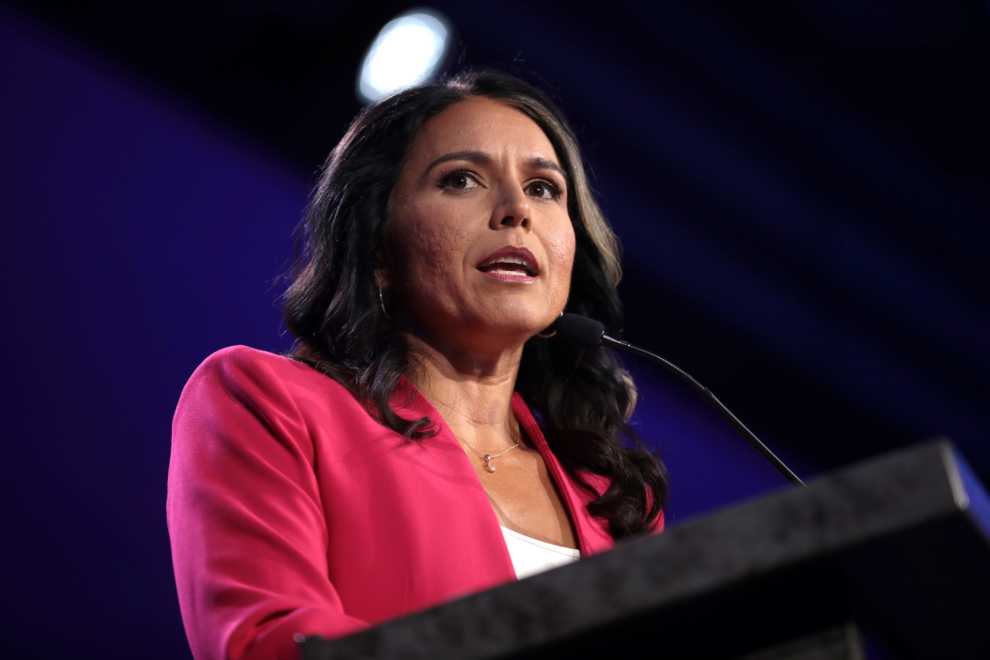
801, 190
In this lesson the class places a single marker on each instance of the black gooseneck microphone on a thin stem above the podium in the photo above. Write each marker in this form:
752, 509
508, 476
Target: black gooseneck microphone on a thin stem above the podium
589, 333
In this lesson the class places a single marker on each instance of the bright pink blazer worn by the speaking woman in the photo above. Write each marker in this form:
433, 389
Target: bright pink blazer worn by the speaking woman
291, 510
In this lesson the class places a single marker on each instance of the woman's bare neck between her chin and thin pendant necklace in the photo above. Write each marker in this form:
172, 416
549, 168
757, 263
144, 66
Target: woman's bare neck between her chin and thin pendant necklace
473, 393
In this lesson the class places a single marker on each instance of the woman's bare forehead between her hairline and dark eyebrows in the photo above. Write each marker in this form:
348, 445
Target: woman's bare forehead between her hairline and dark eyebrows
481, 124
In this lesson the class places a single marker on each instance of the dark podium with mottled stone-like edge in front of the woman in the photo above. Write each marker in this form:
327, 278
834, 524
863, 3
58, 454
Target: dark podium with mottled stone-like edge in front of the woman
886, 559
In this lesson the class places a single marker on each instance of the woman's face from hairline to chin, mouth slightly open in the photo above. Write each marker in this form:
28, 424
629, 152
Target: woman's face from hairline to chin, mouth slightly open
480, 245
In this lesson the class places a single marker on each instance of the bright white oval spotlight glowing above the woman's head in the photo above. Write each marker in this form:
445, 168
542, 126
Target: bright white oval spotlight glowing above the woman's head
408, 50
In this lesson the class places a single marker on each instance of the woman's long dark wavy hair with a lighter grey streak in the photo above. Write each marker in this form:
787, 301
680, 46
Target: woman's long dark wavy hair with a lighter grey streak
583, 399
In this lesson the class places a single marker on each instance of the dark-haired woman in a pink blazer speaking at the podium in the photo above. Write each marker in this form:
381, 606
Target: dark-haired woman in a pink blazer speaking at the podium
428, 438
